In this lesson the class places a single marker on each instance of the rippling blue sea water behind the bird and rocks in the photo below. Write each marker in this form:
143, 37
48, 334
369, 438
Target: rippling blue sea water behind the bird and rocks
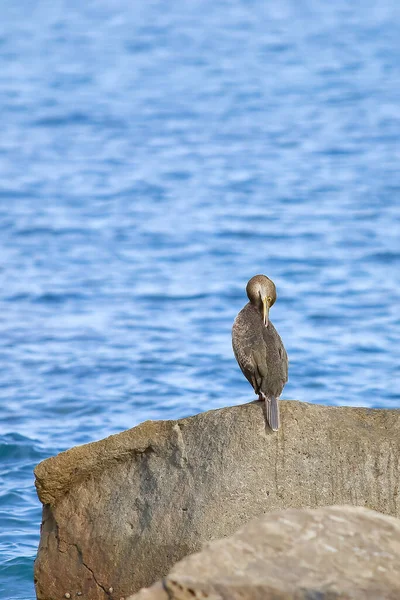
153, 157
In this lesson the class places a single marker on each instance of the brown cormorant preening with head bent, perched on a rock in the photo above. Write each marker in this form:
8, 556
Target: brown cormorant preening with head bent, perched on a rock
258, 348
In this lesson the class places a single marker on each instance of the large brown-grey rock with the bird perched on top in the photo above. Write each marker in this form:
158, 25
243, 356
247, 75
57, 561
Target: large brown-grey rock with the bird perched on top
120, 512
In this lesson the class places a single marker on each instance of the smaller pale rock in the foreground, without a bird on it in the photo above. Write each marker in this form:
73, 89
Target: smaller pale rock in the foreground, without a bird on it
323, 554
